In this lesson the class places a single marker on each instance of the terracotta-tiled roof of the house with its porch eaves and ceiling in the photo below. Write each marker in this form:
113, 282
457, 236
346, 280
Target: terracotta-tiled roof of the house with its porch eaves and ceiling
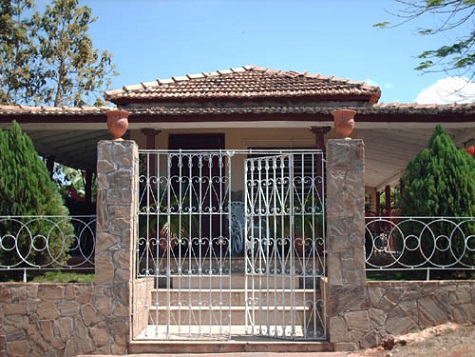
243, 108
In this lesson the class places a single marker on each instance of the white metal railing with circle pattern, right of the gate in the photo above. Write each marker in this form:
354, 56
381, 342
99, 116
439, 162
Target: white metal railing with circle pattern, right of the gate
420, 243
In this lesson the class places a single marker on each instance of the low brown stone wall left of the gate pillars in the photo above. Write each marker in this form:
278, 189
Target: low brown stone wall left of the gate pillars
50, 320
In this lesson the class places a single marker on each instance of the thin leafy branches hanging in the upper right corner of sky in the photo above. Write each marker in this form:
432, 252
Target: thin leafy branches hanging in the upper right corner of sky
458, 56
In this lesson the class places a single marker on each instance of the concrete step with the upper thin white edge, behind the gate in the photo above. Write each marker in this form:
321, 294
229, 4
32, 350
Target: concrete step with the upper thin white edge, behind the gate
233, 297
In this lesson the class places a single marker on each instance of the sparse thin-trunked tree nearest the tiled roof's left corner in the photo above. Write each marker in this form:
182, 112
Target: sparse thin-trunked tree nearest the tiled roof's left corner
71, 64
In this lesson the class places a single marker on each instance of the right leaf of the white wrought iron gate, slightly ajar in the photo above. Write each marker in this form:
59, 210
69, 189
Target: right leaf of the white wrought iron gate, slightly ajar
285, 246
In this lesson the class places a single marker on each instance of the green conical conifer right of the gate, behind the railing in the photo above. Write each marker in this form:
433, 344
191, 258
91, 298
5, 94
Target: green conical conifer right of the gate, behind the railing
439, 182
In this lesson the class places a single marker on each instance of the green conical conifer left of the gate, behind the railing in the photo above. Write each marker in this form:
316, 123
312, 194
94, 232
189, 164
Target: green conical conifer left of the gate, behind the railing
26, 189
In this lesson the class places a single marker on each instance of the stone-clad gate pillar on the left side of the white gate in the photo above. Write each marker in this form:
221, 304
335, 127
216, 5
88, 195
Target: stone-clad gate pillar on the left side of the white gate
117, 168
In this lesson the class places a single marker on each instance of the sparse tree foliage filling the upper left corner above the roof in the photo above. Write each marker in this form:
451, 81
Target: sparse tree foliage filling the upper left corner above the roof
49, 58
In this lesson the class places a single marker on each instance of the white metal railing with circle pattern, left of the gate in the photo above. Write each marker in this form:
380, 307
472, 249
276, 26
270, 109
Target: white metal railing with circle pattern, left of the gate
32, 243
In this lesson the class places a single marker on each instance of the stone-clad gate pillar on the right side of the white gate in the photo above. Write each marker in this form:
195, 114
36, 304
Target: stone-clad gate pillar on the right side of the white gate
347, 297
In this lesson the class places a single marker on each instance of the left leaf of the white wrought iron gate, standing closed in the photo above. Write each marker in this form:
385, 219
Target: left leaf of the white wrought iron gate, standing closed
184, 242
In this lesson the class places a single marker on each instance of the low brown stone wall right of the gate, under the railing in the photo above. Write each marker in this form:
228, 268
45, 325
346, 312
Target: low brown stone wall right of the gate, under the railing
395, 308
